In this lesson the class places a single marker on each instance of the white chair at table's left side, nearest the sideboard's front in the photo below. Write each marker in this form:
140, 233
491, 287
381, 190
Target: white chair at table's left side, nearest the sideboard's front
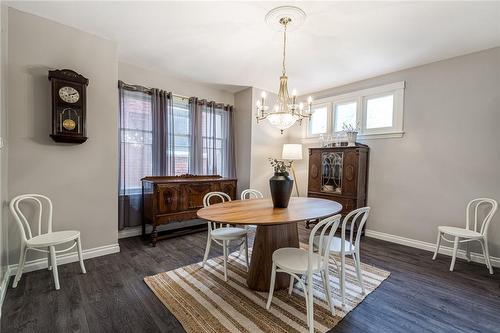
218, 232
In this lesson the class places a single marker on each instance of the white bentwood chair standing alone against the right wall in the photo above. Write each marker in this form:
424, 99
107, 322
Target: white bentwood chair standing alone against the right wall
475, 230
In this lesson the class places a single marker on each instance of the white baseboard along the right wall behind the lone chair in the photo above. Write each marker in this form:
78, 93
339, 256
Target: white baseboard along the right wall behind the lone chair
476, 257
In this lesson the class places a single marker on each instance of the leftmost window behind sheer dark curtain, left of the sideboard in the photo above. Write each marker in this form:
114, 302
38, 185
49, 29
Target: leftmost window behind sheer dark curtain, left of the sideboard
136, 135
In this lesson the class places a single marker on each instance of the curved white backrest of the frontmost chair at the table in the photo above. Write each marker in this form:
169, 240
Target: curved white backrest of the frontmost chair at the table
328, 228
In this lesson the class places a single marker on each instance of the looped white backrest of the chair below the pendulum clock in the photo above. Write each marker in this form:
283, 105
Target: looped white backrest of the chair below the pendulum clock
21, 219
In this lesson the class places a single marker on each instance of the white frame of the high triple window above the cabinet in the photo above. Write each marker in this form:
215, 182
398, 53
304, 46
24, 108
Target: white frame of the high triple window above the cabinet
396, 89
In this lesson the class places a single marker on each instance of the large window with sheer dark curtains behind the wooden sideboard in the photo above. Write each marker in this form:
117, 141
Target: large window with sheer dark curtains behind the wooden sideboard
164, 135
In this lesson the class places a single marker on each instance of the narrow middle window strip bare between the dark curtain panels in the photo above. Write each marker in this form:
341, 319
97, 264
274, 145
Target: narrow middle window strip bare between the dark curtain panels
182, 134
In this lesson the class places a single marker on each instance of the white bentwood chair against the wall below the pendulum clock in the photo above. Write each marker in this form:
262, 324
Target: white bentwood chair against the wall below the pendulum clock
42, 242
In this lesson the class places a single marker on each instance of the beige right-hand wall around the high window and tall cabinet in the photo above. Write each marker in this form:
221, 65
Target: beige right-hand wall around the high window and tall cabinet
450, 152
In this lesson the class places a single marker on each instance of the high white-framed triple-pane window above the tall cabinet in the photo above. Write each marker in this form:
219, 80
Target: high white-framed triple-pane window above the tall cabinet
377, 112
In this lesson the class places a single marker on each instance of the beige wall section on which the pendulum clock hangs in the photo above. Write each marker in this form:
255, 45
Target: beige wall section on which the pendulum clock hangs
81, 180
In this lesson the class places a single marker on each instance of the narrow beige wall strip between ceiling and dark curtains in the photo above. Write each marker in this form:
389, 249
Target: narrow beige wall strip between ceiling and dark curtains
136, 75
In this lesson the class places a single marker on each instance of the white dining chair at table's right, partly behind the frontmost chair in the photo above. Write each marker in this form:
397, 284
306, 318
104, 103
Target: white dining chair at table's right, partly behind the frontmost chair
343, 247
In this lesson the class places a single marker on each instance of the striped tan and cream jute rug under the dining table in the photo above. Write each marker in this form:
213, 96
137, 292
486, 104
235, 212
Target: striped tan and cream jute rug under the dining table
203, 302
